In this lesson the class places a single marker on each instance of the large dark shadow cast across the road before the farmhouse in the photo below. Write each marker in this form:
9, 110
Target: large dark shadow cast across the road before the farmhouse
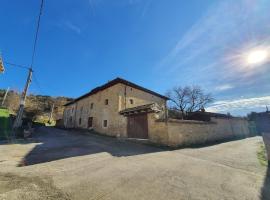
58, 144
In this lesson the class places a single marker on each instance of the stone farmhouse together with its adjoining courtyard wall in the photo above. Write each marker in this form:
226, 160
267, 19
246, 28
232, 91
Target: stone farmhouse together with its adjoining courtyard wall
124, 109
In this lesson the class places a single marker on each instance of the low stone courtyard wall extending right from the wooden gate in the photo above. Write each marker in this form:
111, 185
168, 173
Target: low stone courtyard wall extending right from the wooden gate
186, 132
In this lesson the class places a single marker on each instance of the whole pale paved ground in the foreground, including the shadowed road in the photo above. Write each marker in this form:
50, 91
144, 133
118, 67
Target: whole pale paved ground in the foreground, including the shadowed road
58, 164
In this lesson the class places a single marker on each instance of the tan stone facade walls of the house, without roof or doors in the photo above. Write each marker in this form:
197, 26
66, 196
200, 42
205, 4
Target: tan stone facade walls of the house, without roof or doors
119, 96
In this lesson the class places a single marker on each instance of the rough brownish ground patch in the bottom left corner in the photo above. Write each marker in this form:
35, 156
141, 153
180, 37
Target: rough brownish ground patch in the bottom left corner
34, 188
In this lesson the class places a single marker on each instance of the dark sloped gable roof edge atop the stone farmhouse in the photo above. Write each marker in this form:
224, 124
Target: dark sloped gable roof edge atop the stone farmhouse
112, 83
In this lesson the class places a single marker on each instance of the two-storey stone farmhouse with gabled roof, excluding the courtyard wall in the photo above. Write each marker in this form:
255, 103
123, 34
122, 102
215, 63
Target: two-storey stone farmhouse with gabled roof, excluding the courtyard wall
117, 108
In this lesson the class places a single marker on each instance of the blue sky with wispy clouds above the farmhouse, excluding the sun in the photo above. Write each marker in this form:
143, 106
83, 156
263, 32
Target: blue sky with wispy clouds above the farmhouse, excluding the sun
157, 44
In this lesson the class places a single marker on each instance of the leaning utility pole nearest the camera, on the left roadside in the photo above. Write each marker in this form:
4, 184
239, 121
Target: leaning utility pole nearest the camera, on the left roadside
18, 120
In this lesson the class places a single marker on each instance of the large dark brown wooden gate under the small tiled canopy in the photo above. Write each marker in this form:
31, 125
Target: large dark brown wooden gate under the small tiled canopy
138, 126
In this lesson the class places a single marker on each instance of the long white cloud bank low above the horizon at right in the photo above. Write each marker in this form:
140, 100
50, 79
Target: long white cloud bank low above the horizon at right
239, 104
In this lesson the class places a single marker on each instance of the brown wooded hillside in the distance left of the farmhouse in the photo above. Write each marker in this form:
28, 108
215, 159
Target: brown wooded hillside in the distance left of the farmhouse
37, 106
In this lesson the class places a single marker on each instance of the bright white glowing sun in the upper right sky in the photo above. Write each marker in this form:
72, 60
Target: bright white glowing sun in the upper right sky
258, 56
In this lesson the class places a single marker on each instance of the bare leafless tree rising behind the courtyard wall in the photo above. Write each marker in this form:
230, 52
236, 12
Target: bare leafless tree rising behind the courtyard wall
188, 99
